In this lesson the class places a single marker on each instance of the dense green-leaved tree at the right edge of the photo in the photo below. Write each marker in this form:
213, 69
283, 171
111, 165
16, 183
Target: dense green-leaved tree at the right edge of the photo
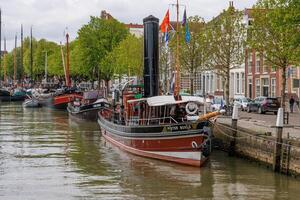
275, 33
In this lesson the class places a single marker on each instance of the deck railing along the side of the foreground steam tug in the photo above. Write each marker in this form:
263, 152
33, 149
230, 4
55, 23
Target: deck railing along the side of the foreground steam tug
149, 121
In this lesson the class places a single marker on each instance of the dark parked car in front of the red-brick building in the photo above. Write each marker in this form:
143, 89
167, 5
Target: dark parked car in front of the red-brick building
263, 105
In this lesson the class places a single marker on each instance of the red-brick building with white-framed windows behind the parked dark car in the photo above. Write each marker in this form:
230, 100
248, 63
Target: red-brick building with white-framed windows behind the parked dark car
264, 80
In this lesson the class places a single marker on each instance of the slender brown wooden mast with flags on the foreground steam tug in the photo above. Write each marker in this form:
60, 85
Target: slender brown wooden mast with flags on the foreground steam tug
177, 70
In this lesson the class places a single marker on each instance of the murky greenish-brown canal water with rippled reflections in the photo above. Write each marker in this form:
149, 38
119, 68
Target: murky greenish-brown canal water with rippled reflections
46, 155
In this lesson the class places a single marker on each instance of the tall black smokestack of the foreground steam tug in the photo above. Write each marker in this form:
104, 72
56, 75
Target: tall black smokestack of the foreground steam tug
151, 73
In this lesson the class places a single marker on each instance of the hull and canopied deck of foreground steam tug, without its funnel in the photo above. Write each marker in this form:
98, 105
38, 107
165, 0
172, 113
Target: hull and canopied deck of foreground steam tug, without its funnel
184, 139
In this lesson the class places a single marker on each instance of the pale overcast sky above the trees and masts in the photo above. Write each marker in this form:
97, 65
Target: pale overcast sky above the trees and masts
49, 18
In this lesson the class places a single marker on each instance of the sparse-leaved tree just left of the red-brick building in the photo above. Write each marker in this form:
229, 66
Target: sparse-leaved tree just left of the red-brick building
226, 35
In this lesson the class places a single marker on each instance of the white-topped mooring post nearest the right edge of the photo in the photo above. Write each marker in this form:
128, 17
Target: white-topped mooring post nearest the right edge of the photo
278, 144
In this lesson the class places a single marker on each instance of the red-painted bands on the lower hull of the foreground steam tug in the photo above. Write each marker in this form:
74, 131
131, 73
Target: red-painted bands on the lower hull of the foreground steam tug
138, 148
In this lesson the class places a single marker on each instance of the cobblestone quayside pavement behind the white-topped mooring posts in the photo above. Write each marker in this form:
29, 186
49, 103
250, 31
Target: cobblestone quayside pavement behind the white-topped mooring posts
263, 123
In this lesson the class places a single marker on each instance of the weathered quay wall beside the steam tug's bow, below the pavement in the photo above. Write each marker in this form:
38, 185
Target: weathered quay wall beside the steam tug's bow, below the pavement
258, 146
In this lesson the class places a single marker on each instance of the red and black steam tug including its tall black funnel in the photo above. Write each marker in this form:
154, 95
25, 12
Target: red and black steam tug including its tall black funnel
170, 128
